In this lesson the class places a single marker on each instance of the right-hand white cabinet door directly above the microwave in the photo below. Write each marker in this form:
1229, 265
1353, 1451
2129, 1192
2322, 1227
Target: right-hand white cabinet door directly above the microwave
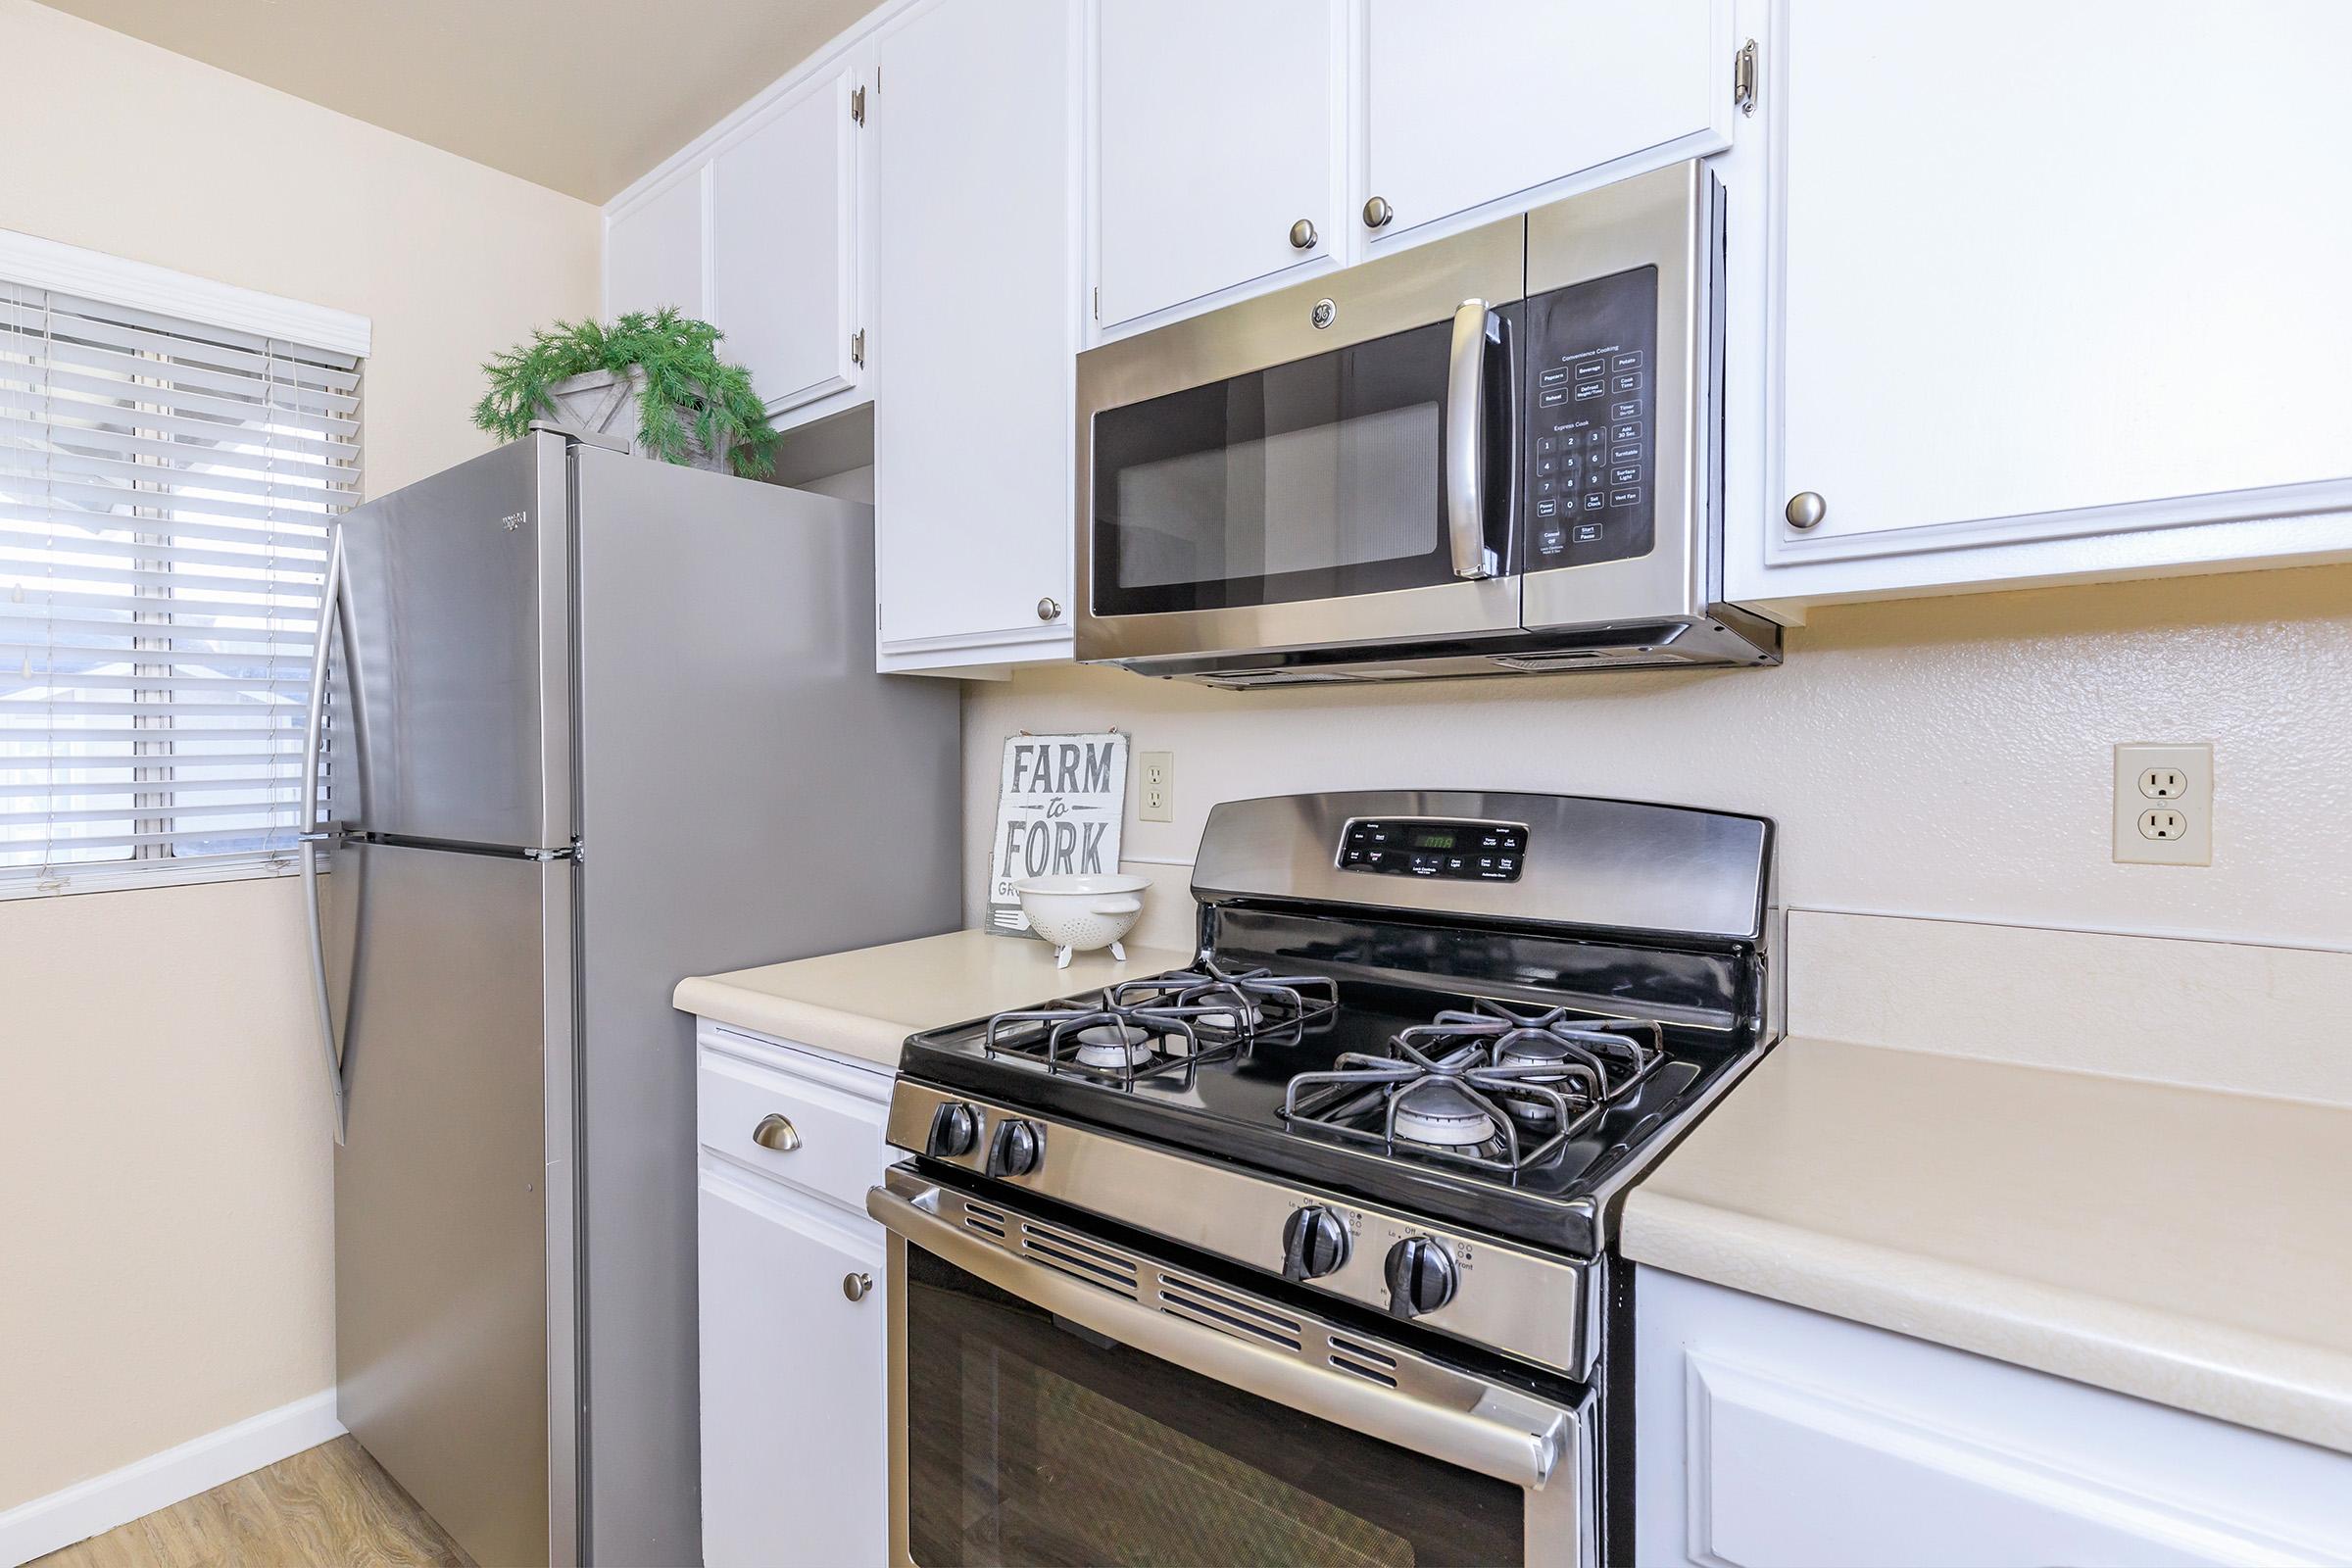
1464, 112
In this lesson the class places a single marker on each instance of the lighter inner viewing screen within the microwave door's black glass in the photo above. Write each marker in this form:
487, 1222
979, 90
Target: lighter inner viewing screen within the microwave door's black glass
1332, 495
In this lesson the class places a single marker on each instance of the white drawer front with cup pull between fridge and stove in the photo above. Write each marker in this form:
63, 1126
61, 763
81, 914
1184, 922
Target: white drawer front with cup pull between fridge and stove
841, 1134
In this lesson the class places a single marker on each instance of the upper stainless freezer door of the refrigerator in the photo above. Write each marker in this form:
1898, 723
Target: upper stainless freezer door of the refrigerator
457, 601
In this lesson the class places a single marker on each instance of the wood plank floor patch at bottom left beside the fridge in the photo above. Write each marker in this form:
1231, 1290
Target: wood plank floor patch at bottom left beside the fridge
326, 1508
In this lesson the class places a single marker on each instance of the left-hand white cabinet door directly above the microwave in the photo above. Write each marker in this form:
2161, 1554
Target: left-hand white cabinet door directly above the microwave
1215, 133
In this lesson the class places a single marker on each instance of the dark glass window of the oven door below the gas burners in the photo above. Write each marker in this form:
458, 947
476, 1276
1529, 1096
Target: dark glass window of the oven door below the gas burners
1034, 1442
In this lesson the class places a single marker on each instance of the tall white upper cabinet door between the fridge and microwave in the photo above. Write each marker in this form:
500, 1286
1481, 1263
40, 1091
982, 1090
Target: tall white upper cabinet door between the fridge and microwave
977, 281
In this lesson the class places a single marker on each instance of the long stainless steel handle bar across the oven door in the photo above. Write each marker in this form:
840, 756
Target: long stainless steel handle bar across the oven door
1474, 1426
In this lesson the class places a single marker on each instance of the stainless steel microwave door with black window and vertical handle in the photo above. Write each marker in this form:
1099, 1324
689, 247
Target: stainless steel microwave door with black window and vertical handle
1321, 467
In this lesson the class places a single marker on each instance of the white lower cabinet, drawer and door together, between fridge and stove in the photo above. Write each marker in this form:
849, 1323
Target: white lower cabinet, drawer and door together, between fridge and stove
794, 1311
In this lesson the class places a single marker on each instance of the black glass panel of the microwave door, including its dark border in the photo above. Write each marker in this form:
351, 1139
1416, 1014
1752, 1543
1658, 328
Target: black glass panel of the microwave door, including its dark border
1309, 481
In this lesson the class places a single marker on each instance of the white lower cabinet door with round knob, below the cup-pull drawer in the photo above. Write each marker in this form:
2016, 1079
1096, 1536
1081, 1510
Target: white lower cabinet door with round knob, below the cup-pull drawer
796, 1466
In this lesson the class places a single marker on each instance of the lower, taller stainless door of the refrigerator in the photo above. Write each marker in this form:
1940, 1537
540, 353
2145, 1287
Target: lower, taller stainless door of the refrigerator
453, 1193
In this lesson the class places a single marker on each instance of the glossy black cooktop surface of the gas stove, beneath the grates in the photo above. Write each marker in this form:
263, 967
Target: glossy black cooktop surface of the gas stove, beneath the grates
1220, 1094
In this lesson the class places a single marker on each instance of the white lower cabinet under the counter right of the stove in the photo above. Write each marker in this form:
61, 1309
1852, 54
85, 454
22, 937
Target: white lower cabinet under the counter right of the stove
1772, 1435
